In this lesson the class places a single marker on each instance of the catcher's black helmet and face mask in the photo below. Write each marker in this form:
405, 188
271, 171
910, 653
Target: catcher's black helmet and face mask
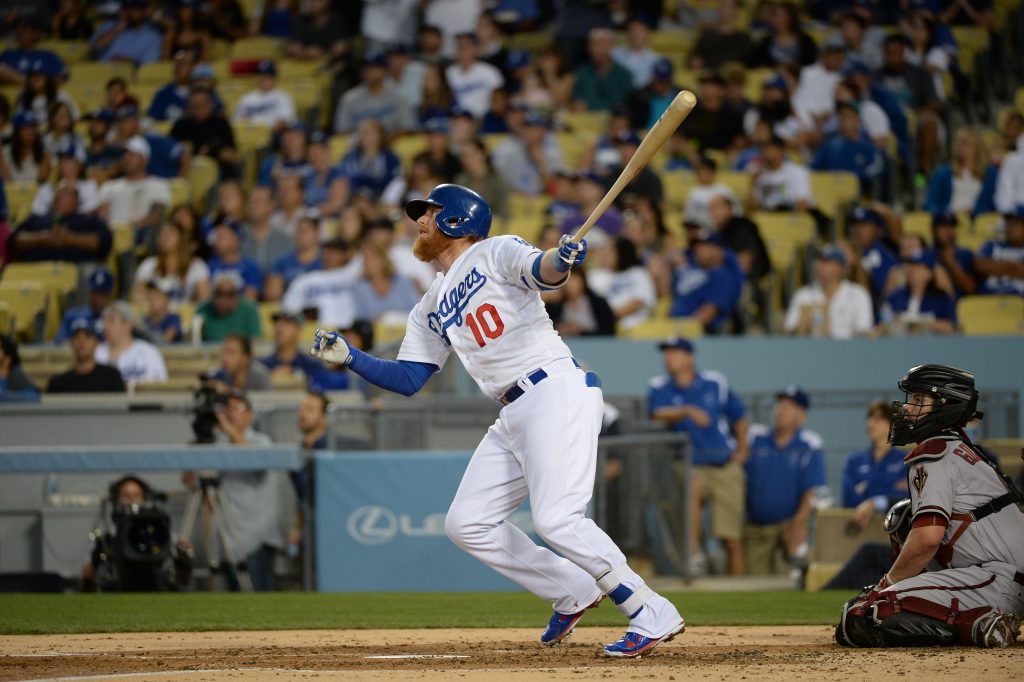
956, 404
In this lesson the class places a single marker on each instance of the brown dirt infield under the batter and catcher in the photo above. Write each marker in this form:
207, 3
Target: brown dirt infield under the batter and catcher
702, 654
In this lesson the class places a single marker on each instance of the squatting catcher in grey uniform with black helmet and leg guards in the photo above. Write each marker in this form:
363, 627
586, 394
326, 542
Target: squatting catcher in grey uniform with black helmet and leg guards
959, 574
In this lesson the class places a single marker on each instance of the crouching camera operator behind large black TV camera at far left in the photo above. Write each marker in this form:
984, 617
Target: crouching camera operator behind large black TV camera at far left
137, 552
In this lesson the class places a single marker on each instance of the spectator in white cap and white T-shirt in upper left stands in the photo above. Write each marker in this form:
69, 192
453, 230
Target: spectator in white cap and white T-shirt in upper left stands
136, 199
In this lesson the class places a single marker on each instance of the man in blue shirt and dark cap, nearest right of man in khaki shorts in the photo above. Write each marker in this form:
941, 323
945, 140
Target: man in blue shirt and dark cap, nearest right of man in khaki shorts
786, 467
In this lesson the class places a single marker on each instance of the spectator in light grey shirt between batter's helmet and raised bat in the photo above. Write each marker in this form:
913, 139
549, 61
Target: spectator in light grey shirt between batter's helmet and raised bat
528, 160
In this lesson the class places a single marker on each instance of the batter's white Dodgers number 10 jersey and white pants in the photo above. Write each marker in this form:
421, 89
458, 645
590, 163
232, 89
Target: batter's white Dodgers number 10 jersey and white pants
488, 310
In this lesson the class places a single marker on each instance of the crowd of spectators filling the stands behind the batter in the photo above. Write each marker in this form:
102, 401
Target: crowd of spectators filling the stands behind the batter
847, 87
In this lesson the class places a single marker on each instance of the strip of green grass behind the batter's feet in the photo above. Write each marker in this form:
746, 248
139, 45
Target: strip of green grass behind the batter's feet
26, 614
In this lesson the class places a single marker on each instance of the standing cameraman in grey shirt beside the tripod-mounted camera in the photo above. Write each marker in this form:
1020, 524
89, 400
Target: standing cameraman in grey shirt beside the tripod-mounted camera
260, 507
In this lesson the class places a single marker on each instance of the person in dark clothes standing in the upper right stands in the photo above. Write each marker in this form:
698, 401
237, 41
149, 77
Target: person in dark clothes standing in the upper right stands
916, 93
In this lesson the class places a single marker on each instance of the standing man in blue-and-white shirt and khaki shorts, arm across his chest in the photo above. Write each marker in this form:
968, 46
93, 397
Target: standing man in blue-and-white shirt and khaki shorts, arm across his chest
703, 406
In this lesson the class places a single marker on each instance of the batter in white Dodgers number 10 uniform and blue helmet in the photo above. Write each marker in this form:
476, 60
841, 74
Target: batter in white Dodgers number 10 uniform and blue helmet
486, 306
